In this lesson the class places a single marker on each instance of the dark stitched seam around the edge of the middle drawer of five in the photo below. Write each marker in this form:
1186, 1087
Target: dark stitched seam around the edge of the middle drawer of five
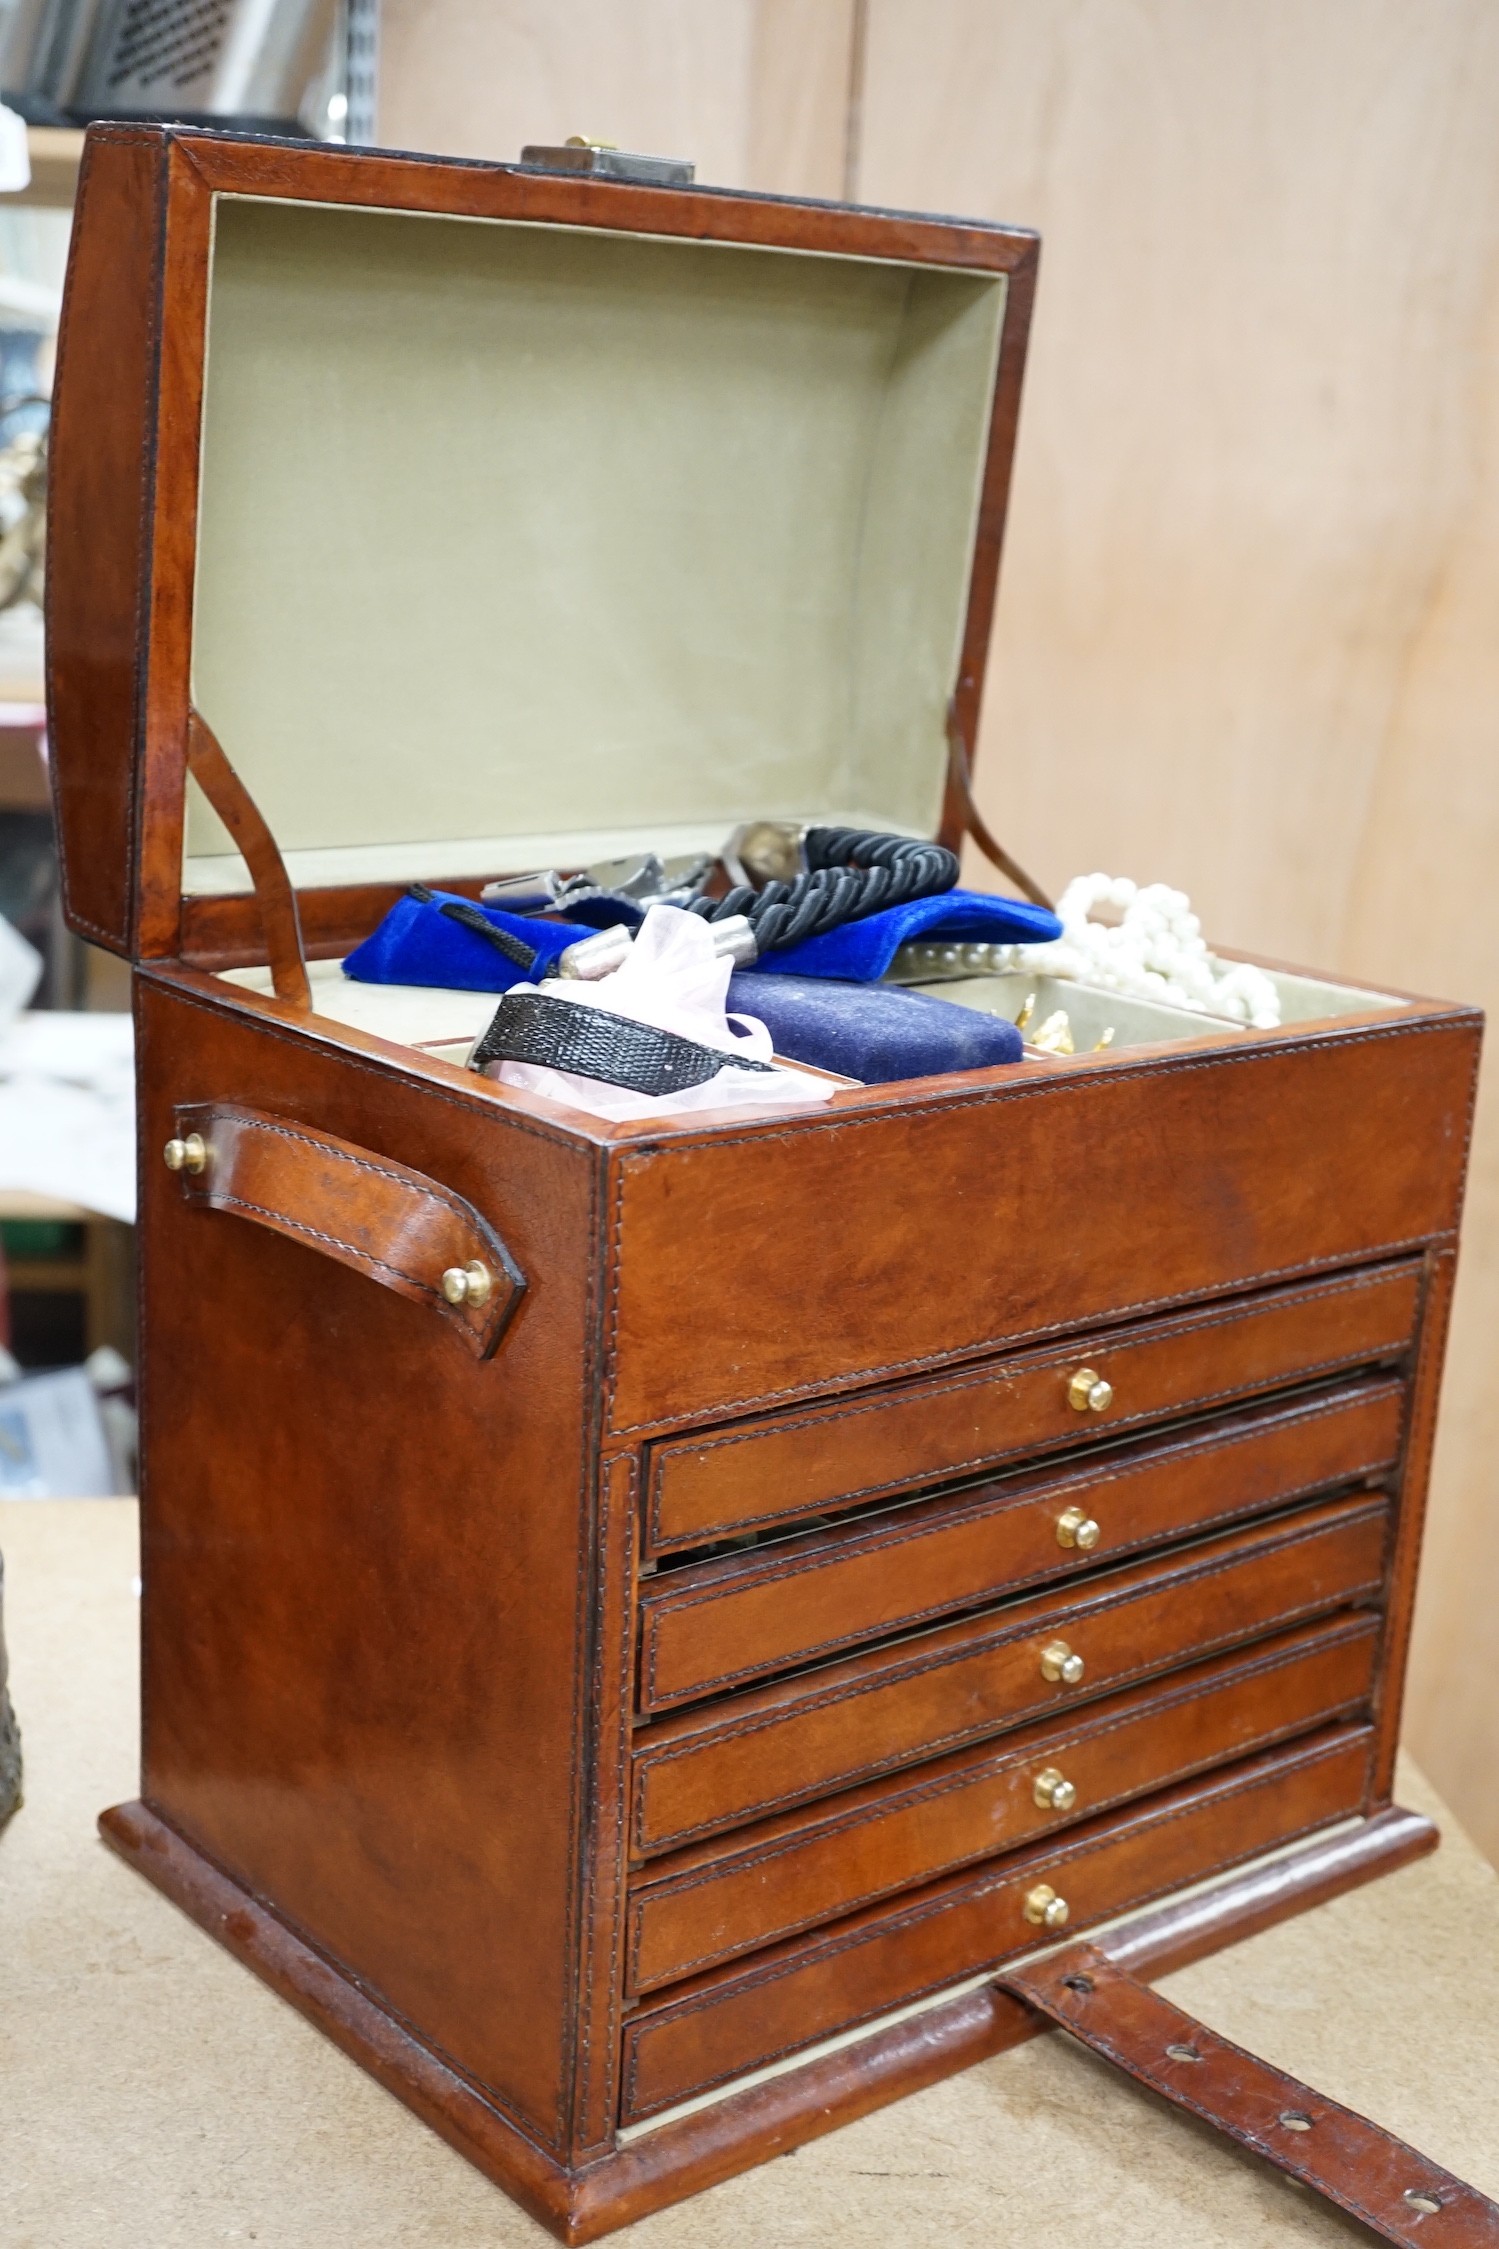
974, 1652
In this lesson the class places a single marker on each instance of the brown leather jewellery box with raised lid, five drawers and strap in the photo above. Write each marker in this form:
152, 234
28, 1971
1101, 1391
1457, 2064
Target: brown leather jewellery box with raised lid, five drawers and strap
671, 1701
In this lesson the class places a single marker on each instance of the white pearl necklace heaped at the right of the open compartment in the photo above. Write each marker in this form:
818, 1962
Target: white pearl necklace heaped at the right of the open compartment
1154, 952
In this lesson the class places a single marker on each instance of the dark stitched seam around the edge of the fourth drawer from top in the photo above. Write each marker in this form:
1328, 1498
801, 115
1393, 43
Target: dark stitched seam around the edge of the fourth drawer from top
976, 1776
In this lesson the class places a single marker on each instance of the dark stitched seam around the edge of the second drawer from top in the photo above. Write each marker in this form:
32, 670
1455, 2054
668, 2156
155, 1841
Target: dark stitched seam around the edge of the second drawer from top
891, 1542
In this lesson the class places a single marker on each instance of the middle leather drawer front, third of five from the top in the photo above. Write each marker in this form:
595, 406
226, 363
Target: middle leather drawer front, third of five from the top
837, 1728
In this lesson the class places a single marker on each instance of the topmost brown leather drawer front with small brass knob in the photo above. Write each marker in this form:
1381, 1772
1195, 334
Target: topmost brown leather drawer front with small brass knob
837, 1456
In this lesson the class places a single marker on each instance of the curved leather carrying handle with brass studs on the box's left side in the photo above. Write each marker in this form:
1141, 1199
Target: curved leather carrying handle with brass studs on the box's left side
374, 1216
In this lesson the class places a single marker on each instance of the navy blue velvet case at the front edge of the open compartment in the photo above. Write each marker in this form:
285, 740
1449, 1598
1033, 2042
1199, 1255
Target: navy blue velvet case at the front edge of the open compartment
875, 1033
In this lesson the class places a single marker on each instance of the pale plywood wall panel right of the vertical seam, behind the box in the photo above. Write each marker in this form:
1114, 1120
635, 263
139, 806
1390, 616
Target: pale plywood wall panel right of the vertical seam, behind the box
1251, 613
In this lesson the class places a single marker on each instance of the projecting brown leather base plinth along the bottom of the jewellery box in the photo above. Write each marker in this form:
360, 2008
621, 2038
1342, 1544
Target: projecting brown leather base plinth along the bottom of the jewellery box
765, 2120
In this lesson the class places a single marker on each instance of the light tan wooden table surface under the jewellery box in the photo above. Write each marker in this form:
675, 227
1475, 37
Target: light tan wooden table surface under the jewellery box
158, 2097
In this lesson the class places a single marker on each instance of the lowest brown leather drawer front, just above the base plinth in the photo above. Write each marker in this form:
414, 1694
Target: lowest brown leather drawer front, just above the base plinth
891, 1956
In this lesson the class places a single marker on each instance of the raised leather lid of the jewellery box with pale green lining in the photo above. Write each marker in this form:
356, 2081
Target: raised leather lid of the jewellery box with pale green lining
498, 518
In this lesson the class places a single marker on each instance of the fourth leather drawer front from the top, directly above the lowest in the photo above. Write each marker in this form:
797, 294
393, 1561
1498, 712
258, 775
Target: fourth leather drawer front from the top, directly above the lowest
794, 1875
